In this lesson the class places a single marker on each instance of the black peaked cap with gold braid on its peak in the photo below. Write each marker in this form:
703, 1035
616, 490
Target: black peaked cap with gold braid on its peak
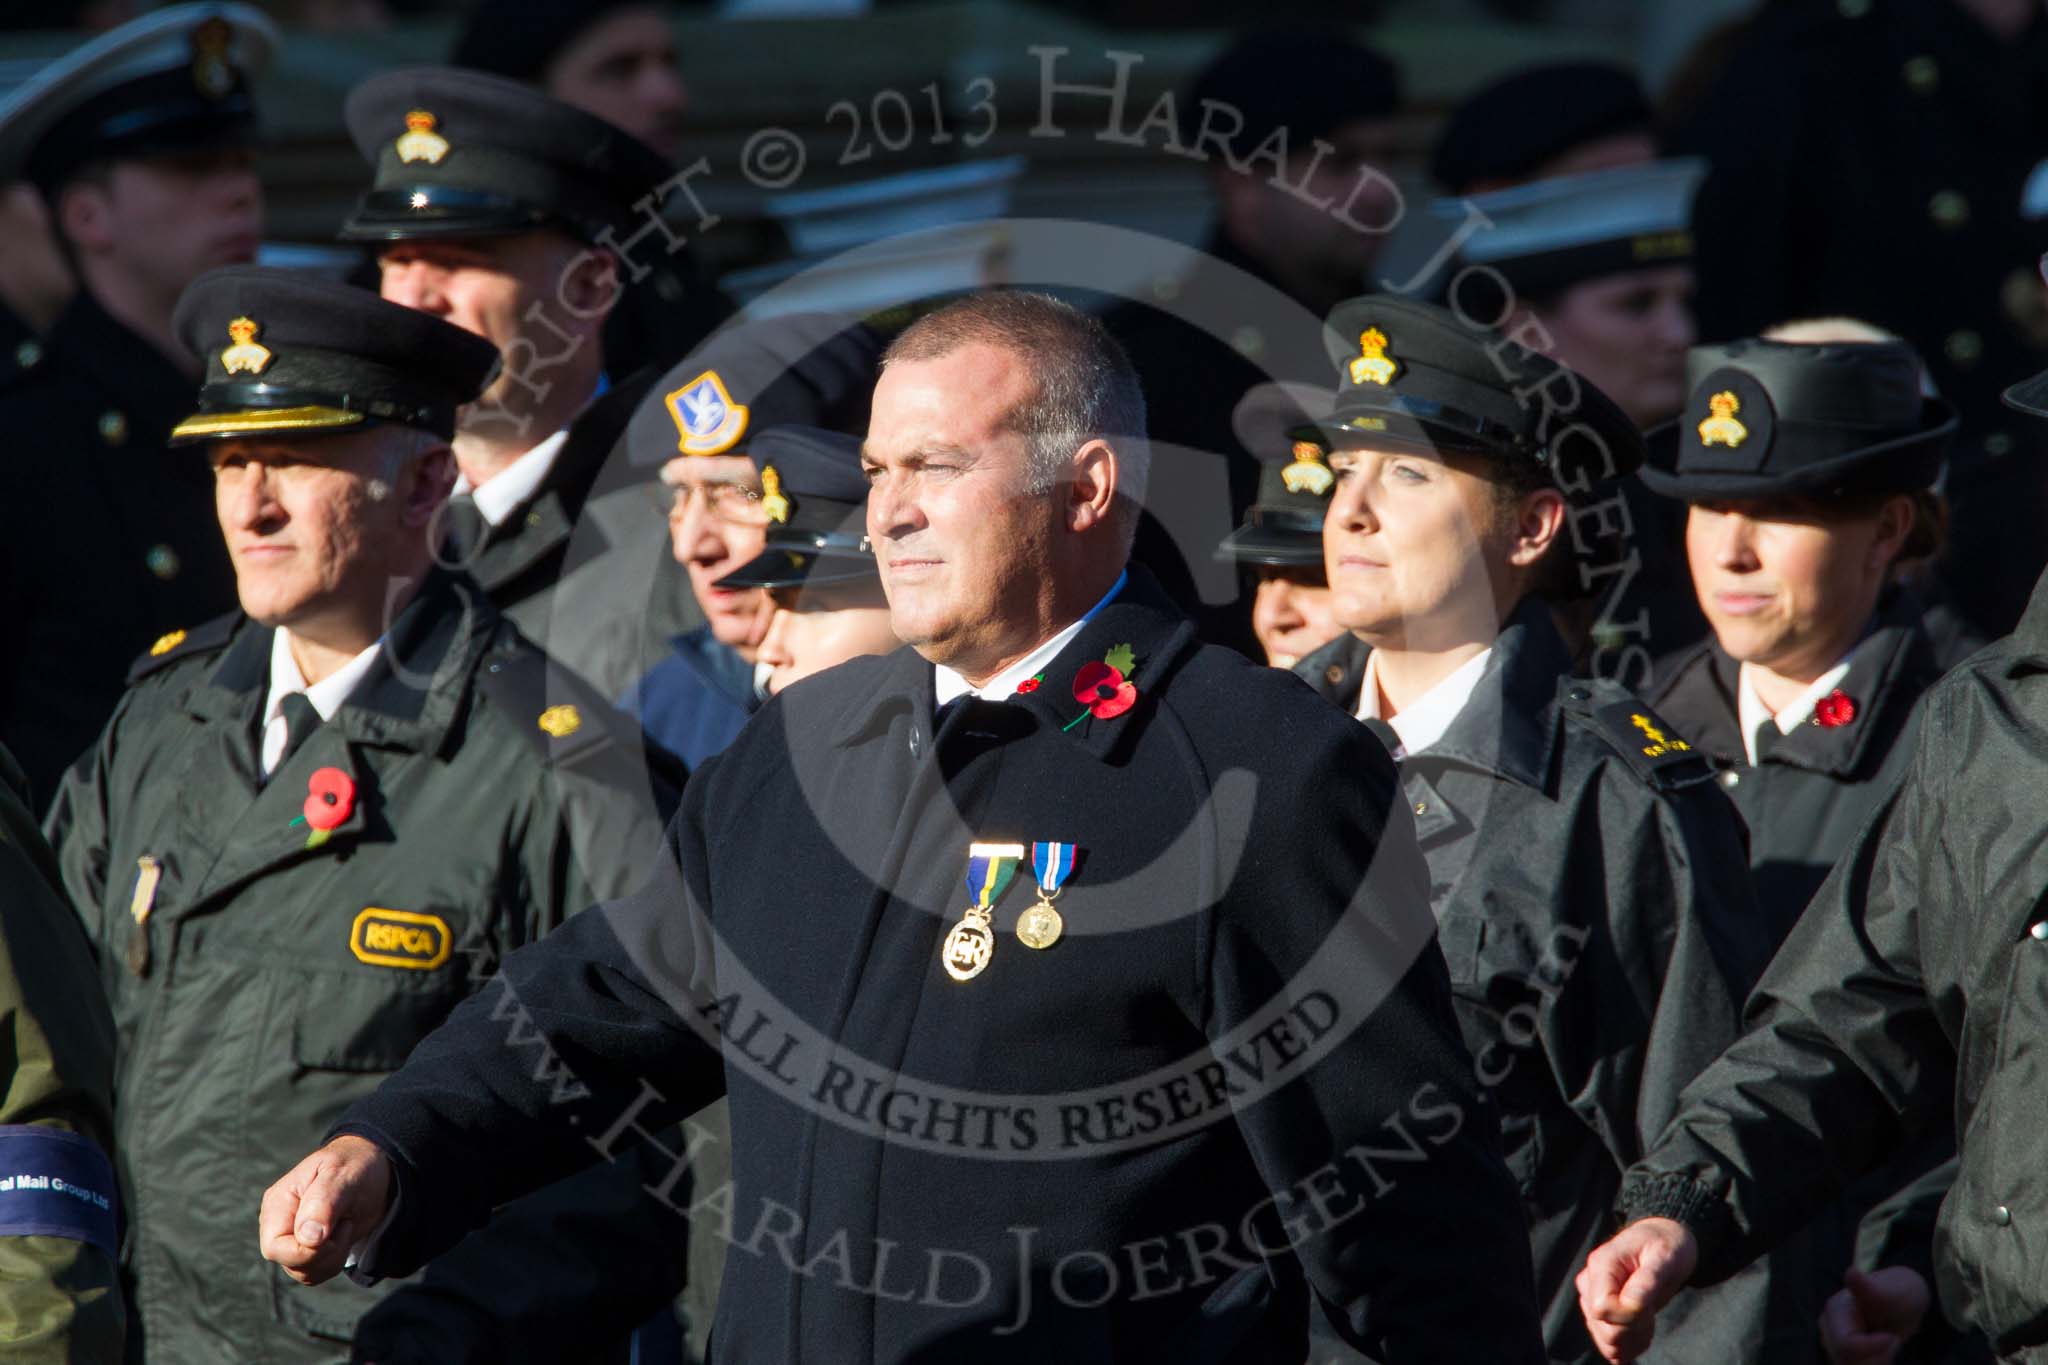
298, 353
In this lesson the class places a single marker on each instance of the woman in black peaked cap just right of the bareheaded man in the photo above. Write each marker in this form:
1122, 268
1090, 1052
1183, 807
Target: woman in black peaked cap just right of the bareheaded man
1584, 869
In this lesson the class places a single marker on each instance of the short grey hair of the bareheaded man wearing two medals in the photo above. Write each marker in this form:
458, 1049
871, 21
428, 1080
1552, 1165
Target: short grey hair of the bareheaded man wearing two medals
1084, 386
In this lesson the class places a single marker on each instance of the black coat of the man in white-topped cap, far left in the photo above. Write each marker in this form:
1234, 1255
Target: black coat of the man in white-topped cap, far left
108, 535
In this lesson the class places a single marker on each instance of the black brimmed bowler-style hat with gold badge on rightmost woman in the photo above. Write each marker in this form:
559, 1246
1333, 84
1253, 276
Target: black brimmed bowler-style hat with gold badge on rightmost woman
1791, 419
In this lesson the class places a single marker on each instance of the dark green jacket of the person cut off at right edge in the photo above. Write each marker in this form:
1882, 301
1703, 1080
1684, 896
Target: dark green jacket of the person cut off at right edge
1912, 987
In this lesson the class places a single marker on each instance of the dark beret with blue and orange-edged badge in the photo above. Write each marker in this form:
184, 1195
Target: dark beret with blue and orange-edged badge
798, 369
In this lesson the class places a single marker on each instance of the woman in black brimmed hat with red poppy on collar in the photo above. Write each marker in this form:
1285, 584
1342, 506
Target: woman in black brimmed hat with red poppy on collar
1807, 476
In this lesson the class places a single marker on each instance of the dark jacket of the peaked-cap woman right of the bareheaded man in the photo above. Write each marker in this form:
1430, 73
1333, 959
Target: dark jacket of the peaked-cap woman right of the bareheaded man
1601, 934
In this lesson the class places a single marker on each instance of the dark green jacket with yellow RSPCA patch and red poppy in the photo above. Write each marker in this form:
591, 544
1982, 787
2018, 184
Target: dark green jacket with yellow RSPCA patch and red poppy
261, 985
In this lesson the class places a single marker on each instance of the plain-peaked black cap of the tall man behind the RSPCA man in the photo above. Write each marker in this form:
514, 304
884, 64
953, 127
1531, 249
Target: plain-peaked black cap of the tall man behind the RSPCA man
466, 155
